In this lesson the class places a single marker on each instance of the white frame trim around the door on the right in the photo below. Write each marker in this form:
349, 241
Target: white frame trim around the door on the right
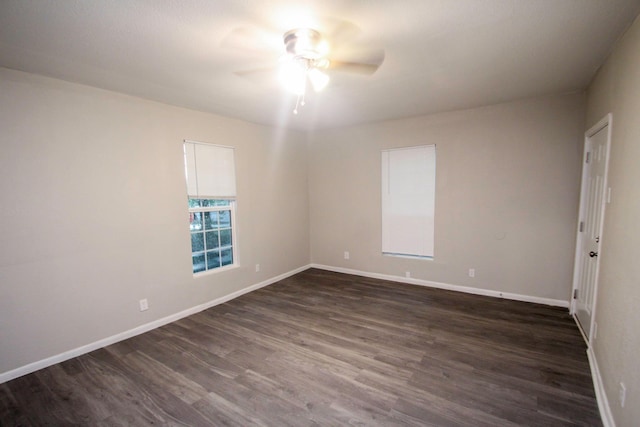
606, 121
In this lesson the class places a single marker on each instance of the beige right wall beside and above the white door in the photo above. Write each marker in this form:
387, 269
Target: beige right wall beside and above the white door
616, 89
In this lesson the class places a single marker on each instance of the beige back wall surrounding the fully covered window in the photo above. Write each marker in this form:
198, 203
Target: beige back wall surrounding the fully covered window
506, 195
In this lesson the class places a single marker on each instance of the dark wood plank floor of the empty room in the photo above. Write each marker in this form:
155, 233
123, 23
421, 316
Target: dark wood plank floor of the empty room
327, 349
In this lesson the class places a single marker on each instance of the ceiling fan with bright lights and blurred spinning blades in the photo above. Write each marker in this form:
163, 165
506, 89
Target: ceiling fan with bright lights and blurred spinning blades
309, 56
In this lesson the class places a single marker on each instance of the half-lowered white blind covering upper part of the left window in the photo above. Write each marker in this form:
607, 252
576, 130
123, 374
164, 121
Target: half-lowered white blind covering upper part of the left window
210, 170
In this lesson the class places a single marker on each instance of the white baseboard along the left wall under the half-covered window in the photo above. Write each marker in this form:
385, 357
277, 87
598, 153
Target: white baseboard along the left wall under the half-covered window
40, 364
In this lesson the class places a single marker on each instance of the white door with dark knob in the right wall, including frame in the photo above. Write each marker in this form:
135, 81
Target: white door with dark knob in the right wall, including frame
592, 203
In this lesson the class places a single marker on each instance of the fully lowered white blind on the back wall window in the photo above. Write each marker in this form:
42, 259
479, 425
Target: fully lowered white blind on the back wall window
408, 201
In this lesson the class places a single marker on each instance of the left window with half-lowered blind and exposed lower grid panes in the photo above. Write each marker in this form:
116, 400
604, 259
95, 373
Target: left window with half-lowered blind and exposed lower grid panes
210, 173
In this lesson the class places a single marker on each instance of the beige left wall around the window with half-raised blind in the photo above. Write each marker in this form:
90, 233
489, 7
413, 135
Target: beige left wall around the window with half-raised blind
93, 213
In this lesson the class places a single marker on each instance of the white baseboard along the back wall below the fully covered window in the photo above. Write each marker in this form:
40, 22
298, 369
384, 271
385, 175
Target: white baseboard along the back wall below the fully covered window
449, 287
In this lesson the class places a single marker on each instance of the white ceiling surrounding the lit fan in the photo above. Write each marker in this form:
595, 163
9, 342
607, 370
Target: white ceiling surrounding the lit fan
441, 55
